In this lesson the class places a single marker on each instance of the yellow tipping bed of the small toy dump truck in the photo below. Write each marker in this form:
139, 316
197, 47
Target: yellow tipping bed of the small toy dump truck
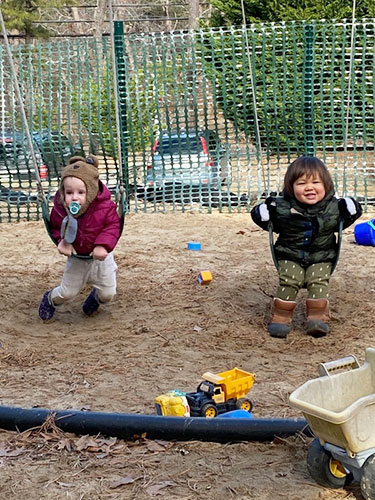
235, 382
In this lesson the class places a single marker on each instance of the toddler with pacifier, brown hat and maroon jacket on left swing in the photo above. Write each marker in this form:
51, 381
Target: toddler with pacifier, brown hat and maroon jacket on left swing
85, 224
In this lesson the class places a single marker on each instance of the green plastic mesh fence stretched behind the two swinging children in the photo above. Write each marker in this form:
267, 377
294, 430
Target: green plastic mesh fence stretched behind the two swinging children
209, 119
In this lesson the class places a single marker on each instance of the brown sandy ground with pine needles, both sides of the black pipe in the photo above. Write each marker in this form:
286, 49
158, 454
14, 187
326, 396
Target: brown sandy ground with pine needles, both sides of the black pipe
162, 332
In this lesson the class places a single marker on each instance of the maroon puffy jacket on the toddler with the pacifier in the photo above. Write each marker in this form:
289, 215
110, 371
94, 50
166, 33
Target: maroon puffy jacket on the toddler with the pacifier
99, 225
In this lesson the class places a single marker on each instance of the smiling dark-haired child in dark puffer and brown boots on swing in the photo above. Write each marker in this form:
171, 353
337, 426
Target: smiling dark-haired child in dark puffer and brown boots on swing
306, 217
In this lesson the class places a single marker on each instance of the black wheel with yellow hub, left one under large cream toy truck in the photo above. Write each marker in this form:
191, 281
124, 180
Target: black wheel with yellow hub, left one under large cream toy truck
324, 469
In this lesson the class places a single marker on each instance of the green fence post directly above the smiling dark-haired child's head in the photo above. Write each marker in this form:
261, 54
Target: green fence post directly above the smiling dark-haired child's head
307, 93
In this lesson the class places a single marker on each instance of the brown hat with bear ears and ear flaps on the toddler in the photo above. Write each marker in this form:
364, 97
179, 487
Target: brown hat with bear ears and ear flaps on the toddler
85, 169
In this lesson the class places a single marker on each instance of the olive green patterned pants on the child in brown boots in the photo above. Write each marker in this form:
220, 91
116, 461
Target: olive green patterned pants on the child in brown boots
293, 277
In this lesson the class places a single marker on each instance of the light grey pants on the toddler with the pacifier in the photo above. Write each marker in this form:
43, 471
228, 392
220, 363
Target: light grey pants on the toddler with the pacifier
79, 272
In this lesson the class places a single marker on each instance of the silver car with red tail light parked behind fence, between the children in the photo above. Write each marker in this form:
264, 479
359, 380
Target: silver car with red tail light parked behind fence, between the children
188, 158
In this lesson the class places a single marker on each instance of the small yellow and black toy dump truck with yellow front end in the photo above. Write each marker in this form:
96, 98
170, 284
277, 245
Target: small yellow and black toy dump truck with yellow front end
216, 394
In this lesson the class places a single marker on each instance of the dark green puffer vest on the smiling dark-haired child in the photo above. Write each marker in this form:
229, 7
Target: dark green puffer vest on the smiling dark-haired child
306, 232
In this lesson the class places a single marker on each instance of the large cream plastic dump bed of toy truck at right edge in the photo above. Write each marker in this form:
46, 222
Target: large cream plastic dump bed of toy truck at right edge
340, 408
